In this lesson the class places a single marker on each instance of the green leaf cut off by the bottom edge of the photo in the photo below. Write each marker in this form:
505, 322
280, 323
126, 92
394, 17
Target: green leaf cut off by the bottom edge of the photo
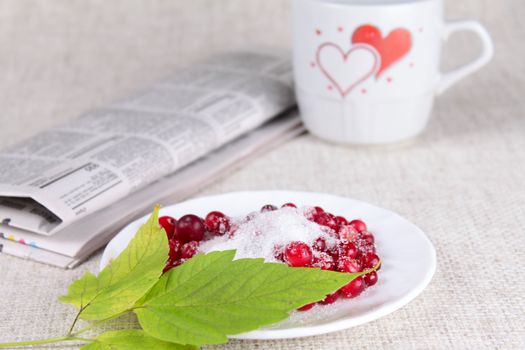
131, 340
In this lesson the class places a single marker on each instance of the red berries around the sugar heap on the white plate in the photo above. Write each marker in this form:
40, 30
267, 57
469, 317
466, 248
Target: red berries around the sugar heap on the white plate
350, 249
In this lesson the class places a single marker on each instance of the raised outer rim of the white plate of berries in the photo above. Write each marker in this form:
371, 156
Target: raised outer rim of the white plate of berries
334, 326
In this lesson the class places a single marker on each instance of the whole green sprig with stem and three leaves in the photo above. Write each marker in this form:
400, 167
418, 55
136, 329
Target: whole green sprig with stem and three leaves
199, 302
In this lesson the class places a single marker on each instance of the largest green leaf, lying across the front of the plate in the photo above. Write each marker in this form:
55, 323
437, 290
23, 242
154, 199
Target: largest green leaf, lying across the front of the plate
210, 296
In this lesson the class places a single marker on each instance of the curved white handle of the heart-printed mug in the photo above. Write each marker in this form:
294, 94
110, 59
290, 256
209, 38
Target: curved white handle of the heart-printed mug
452, 77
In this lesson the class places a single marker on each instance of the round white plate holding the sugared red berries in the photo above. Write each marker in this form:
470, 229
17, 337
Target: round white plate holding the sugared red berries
408, 258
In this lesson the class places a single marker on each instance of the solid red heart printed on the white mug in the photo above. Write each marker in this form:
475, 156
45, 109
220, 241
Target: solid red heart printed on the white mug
391, 48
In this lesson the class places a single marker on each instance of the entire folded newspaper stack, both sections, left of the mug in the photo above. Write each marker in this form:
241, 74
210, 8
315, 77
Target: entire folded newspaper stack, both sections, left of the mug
65, 192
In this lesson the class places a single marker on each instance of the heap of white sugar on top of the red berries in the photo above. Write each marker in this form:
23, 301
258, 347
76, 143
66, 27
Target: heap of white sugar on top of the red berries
258, 236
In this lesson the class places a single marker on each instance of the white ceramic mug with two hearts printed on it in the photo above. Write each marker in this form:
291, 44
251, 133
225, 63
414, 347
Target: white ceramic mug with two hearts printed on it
367, 71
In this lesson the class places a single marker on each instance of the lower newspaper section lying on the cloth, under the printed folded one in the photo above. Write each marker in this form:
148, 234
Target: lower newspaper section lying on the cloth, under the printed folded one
70, 246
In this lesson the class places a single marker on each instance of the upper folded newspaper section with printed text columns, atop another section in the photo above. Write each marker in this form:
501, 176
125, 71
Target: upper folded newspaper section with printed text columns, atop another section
63, 174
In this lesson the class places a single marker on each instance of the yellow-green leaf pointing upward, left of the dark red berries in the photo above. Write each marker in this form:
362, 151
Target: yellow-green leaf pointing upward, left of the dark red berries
126, 279
